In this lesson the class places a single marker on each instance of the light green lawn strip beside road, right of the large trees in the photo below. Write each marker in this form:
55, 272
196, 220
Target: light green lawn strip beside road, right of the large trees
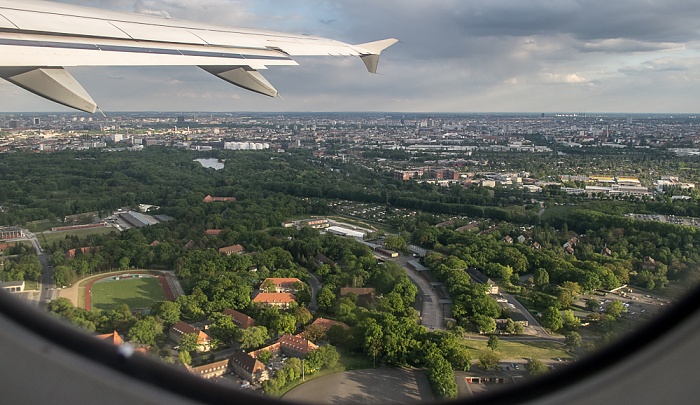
543, 350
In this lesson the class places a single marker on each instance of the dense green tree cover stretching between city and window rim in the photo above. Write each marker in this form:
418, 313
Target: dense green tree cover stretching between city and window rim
608, 250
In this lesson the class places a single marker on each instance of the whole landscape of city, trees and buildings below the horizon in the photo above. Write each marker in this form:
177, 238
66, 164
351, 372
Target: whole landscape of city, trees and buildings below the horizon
478, 249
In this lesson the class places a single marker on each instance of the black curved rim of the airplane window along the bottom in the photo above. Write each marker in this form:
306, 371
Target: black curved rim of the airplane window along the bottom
179, 382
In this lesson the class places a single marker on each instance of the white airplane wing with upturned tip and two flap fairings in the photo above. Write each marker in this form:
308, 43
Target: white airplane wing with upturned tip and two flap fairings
38, 39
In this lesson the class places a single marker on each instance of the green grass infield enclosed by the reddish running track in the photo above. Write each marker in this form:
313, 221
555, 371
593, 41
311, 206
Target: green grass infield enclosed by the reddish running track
135, 292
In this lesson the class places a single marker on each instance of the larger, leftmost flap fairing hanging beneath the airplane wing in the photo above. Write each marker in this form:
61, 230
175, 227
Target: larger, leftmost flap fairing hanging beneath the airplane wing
53, 83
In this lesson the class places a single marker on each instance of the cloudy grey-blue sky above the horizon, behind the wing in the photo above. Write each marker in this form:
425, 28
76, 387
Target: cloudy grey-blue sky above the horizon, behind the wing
454, 56
